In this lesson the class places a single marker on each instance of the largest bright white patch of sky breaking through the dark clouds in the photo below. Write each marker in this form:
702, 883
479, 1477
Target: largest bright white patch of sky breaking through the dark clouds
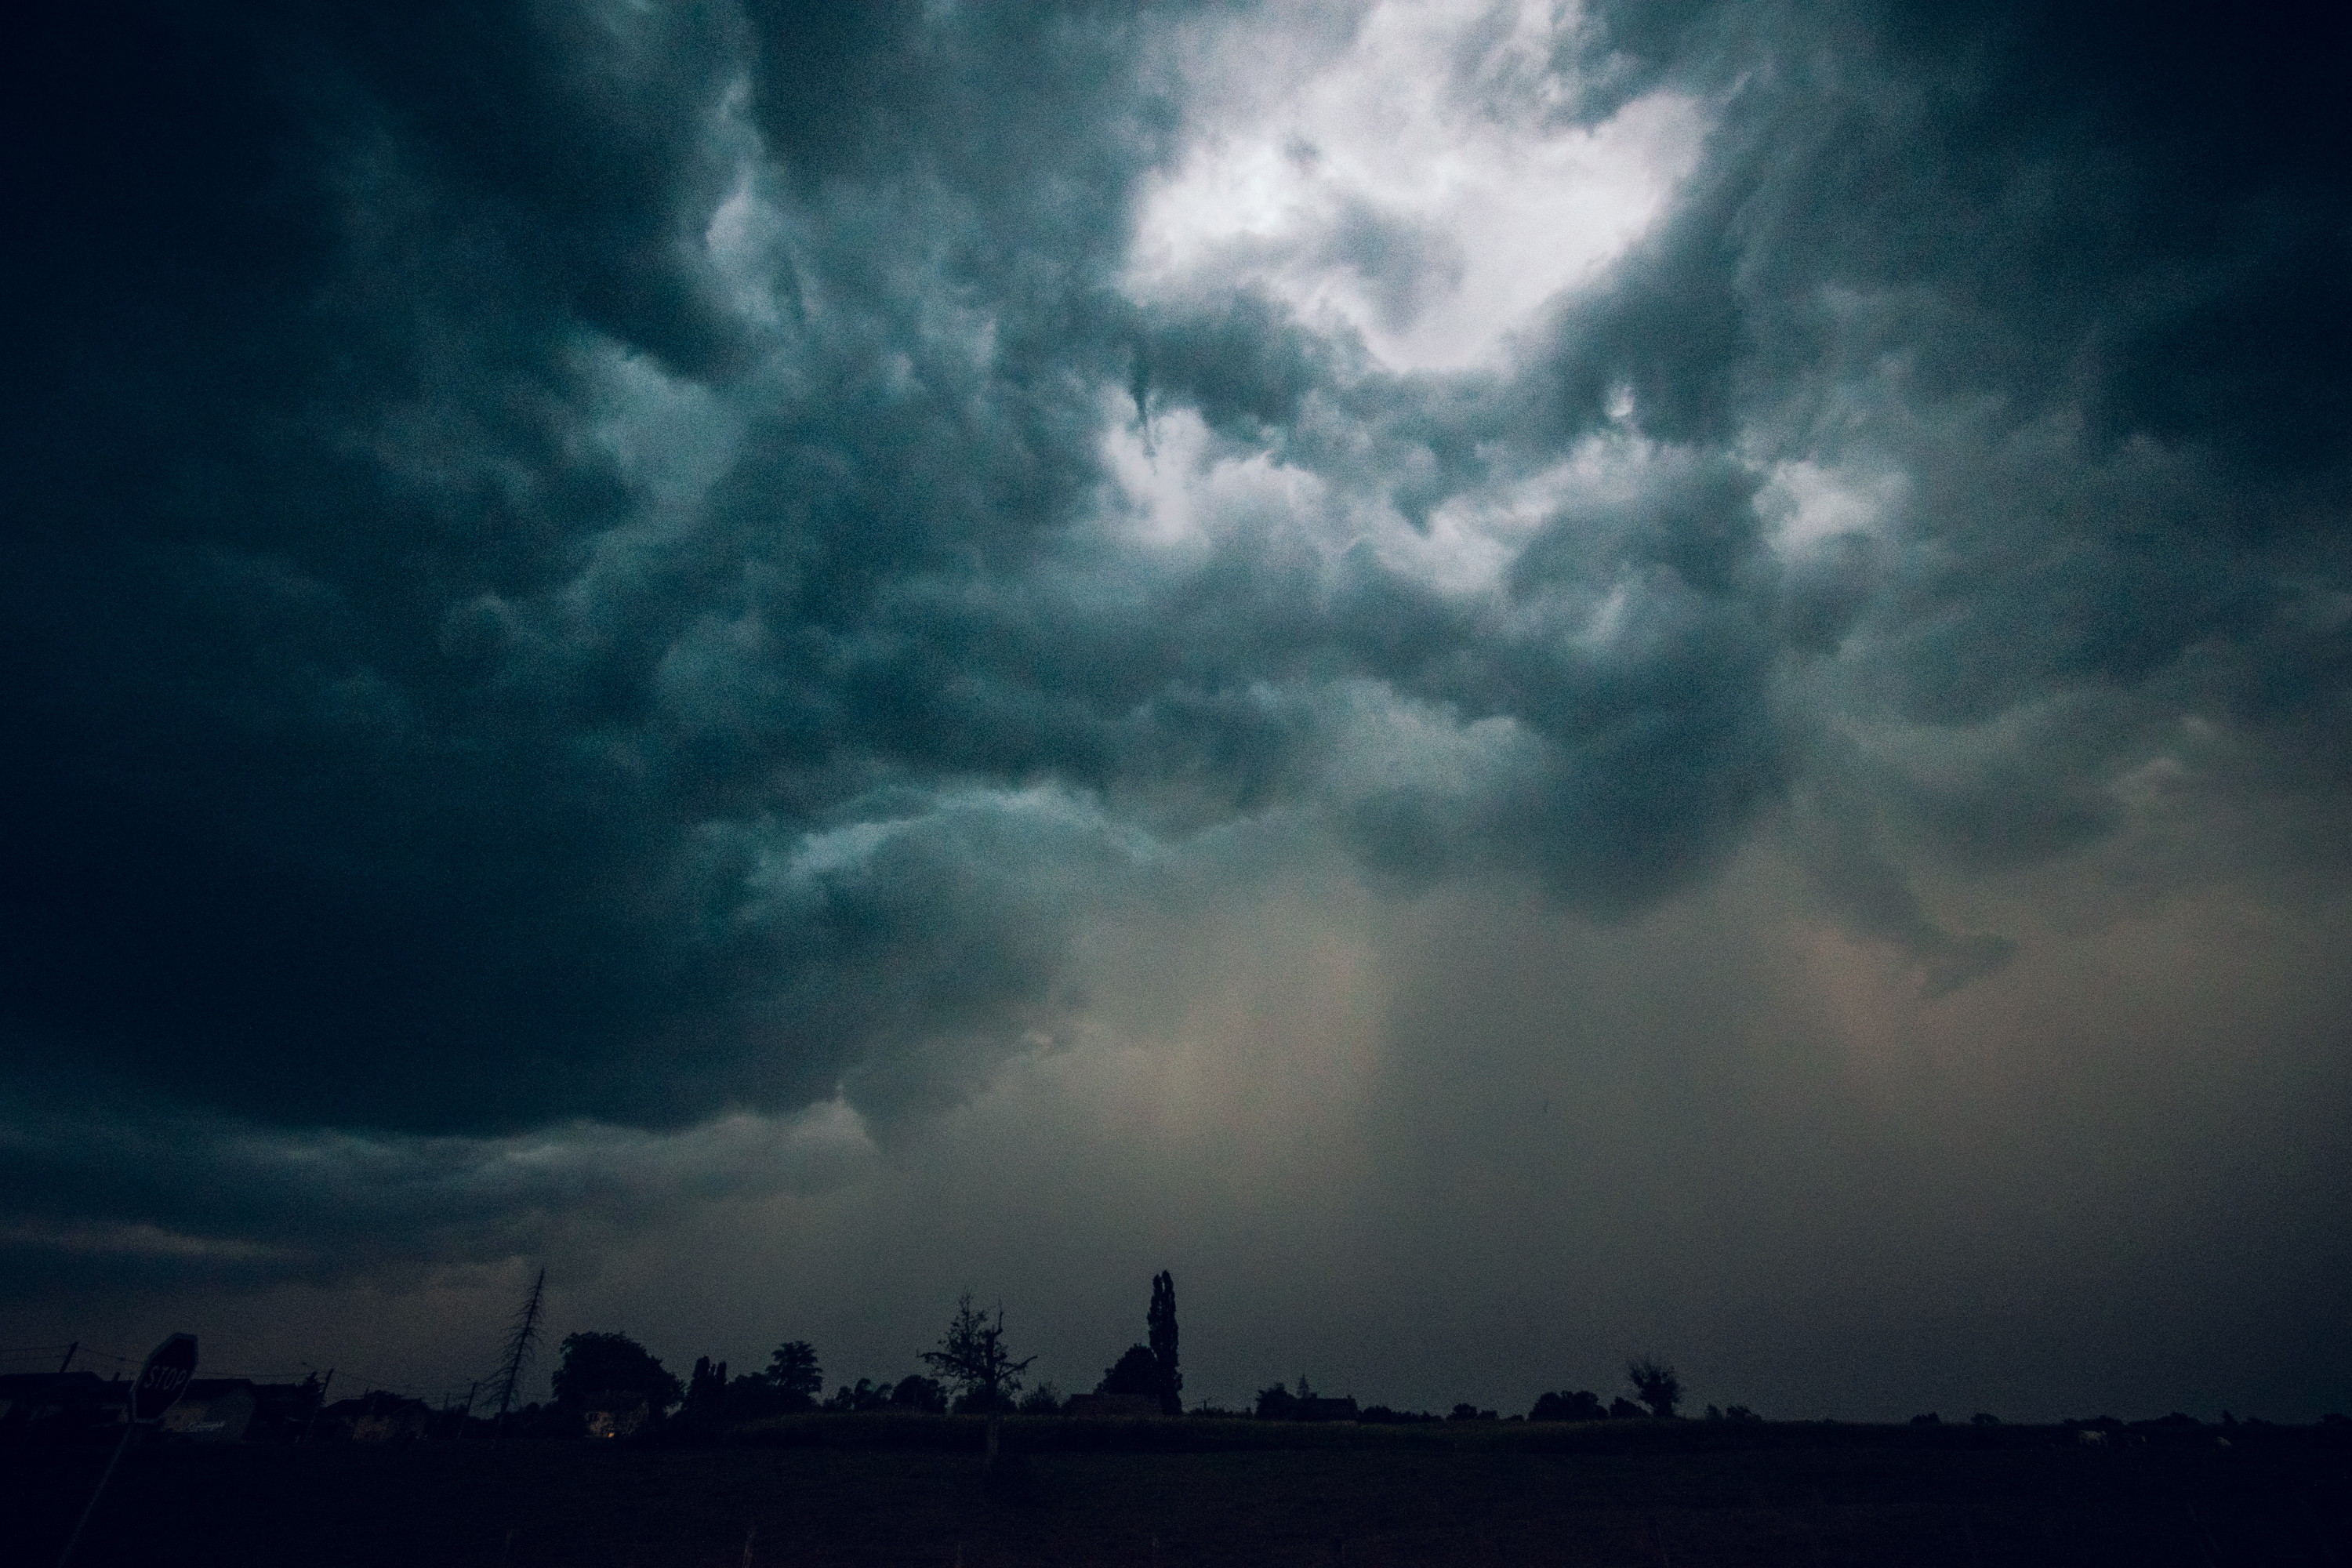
1394, 194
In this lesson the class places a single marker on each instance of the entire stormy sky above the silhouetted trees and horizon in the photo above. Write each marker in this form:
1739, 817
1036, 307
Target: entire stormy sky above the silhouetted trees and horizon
1511, 683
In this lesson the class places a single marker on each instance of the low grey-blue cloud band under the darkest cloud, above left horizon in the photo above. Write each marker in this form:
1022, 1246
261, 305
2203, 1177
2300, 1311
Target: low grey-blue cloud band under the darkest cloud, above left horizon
156, 1202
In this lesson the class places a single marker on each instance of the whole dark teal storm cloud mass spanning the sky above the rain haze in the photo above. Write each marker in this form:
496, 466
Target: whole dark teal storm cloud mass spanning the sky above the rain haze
561, 556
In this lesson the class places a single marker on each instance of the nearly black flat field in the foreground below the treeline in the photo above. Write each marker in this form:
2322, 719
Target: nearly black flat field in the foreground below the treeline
878, 1494
